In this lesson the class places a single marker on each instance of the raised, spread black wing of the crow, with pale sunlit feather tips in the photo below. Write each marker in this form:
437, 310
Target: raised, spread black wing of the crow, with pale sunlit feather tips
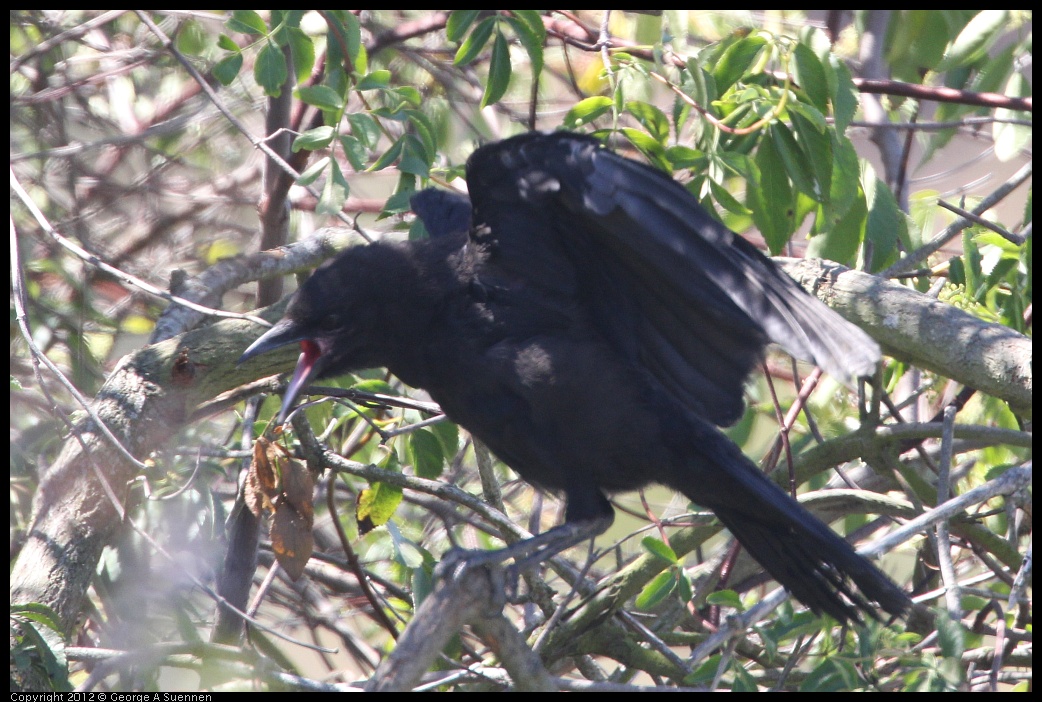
671, 287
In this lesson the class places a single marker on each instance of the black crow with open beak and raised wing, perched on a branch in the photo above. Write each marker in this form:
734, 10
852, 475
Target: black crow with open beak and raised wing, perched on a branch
584, 317
